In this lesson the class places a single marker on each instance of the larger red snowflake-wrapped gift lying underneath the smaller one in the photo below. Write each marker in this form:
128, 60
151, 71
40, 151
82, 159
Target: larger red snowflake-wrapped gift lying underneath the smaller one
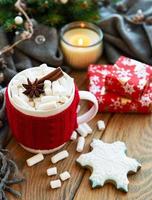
112, 102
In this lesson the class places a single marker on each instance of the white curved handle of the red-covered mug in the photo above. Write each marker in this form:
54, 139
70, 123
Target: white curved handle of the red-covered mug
85, 95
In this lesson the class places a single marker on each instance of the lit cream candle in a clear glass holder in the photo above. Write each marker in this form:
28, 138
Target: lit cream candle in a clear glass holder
81, 44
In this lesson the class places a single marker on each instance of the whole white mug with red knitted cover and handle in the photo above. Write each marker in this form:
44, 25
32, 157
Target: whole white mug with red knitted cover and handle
47, 131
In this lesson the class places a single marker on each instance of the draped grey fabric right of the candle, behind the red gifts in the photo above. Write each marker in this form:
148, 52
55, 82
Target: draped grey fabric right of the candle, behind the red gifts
124, 37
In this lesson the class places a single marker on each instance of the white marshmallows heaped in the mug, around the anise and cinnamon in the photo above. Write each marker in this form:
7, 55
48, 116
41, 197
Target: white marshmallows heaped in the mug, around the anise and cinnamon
55, 94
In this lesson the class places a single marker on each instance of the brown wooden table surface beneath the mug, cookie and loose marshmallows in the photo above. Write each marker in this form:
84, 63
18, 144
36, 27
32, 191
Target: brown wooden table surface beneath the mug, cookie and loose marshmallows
134, 129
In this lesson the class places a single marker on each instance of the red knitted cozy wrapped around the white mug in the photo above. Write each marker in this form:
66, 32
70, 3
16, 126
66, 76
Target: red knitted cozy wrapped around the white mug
43, 133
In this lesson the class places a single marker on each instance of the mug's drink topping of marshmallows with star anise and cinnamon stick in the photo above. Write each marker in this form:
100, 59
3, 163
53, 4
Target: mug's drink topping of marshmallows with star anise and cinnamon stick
43, 96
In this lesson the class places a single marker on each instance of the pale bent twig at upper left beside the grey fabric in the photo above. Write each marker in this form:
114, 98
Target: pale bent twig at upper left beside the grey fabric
29, 31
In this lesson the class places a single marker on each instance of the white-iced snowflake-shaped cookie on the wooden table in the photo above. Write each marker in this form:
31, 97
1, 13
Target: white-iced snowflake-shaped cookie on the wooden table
109, 163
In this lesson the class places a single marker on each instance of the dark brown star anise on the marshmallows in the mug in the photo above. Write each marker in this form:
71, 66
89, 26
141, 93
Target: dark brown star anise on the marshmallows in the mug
33, 89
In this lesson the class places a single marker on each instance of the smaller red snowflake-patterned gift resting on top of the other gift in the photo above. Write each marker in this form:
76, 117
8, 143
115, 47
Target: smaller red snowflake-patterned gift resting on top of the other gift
128, 78
